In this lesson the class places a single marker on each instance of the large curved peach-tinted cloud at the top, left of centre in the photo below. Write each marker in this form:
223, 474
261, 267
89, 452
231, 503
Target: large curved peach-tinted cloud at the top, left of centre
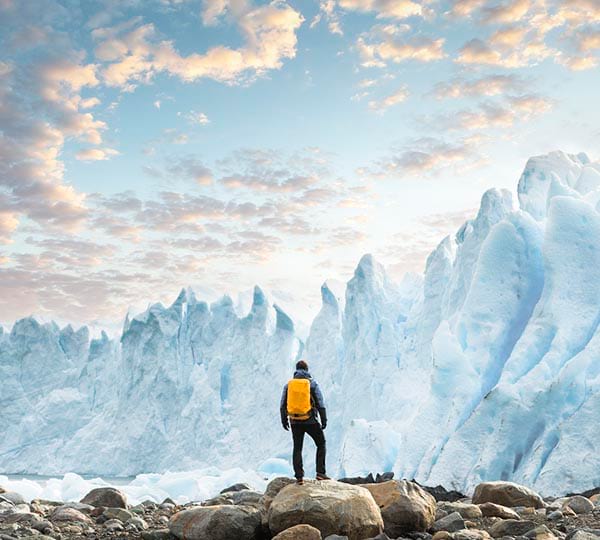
136, 55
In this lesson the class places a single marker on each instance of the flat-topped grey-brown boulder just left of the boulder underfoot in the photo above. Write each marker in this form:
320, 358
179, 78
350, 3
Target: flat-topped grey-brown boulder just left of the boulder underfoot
216, 523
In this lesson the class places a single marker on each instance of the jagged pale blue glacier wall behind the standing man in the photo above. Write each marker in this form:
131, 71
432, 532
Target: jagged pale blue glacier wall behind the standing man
485, 367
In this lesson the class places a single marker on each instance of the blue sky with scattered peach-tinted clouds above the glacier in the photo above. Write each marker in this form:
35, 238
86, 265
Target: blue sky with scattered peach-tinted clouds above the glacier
151, 145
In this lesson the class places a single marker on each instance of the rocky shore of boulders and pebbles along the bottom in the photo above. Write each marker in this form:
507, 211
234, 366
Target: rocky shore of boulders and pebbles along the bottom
353, 509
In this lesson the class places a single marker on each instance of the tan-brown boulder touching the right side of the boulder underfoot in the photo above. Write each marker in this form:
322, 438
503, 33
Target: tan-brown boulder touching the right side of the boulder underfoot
404, 505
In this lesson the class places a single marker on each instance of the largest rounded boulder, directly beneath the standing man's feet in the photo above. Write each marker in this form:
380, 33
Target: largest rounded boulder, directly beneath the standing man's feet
330, 506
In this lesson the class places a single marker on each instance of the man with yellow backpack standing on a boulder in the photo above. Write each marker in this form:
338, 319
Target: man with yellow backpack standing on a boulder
300, 402
